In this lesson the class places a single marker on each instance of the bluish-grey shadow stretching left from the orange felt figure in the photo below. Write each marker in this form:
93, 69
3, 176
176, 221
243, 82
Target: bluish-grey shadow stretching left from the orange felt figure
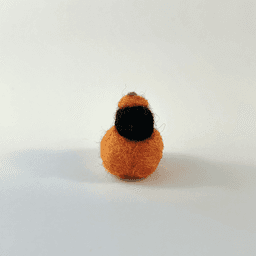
82, 165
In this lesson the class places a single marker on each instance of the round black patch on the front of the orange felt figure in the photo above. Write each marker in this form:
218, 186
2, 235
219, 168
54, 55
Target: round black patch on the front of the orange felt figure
135, 123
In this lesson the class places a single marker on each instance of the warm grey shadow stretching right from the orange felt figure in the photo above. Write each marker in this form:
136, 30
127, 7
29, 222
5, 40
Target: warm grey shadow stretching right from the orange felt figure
177, 170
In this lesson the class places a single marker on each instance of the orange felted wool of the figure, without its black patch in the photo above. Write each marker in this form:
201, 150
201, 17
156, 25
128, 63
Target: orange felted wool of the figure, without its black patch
131, 159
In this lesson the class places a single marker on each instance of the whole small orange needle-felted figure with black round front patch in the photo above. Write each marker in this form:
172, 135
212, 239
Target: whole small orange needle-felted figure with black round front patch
132, 148
